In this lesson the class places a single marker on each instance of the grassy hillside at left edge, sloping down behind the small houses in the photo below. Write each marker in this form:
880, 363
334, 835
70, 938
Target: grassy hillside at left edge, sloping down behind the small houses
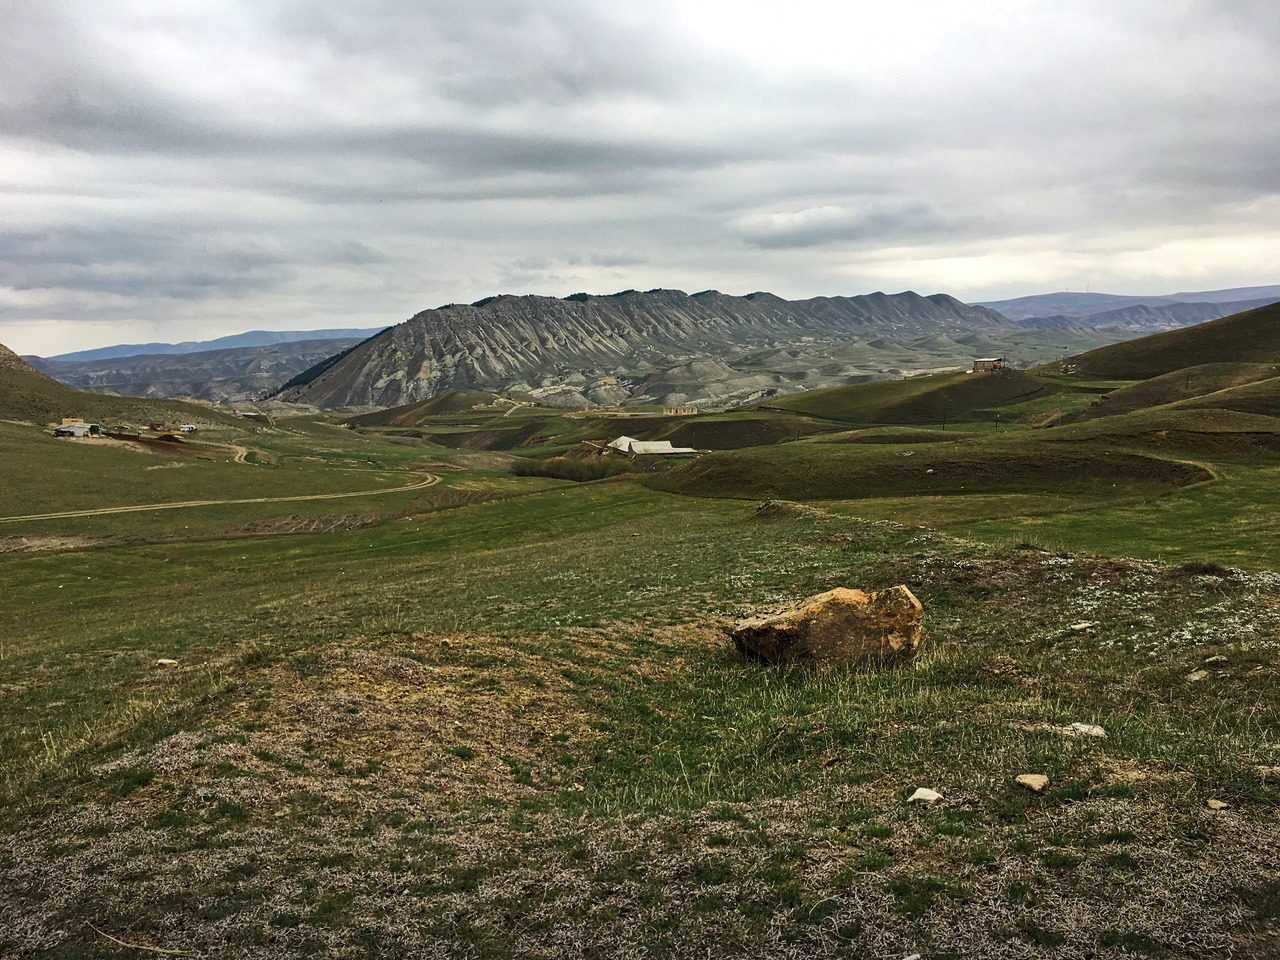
29, 396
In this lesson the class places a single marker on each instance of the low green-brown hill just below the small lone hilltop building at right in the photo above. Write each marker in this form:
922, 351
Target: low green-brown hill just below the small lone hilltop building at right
924, 400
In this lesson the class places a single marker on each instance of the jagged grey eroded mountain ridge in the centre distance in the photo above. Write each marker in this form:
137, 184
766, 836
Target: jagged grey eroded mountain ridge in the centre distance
657, 346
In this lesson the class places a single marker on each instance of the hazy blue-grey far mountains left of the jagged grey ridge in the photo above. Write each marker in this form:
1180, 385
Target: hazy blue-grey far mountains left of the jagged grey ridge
218, 376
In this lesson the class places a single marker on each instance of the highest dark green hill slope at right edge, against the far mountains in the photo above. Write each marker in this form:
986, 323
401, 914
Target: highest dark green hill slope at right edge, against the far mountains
1252, 337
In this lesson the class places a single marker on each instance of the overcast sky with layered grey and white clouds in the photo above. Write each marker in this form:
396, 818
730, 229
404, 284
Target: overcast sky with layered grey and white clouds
182, 171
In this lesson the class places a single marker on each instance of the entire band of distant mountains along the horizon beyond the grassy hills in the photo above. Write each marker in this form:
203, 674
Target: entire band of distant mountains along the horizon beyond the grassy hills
638, 348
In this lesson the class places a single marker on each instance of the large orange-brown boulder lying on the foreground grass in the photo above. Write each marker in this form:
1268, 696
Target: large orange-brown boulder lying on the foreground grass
839, 628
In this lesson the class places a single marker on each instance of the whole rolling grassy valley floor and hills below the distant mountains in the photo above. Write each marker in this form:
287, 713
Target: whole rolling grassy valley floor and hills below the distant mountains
492, 711
